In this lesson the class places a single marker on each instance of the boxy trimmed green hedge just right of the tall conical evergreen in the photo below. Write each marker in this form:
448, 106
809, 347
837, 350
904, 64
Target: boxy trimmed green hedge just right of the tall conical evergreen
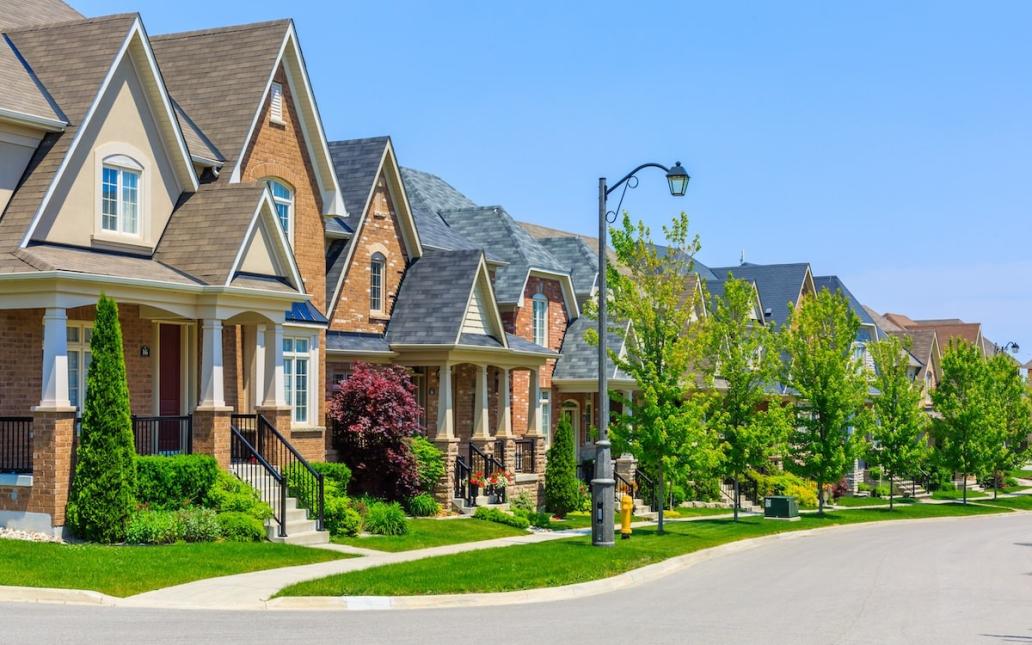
169, 483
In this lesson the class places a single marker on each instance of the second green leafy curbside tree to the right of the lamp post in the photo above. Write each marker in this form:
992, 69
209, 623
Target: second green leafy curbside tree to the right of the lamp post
745, 364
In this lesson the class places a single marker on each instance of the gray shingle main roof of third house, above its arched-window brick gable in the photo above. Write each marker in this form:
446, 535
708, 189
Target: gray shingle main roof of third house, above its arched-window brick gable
499, 234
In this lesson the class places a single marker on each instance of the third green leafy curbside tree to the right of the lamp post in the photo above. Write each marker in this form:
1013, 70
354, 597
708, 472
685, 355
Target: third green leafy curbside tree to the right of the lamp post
830, 389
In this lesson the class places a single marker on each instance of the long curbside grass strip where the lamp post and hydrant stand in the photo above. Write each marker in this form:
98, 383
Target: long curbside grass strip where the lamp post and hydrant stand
574, 560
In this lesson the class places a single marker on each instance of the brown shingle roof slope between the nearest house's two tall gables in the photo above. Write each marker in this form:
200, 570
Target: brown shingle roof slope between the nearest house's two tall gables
219, 76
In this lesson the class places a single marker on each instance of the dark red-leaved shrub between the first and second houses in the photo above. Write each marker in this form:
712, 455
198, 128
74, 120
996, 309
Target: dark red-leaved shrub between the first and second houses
375, 414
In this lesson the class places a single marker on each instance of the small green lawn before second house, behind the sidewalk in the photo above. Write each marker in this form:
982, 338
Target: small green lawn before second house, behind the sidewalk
434, 533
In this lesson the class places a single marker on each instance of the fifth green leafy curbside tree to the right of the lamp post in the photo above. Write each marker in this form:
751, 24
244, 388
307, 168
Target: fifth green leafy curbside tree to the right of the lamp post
969, 420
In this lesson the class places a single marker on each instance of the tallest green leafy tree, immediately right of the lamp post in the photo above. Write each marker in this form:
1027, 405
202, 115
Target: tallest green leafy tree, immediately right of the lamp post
658, 294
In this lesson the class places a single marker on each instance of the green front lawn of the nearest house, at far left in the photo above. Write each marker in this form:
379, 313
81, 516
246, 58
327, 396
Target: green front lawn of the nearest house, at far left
125, 571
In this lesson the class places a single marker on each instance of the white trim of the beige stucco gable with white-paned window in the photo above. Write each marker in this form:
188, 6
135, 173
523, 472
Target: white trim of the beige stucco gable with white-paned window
137, 31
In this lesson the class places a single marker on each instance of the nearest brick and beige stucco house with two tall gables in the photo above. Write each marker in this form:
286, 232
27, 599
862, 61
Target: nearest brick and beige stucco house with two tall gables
197, 196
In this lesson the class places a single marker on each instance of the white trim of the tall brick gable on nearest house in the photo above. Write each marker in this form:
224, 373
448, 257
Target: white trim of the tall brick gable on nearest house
301, 90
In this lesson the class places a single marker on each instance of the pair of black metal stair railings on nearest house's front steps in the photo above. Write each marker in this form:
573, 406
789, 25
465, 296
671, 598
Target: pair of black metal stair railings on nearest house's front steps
262, 444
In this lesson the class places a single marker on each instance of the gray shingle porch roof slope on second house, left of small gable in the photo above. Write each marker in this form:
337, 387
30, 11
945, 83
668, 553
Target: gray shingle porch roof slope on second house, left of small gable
433, 298
